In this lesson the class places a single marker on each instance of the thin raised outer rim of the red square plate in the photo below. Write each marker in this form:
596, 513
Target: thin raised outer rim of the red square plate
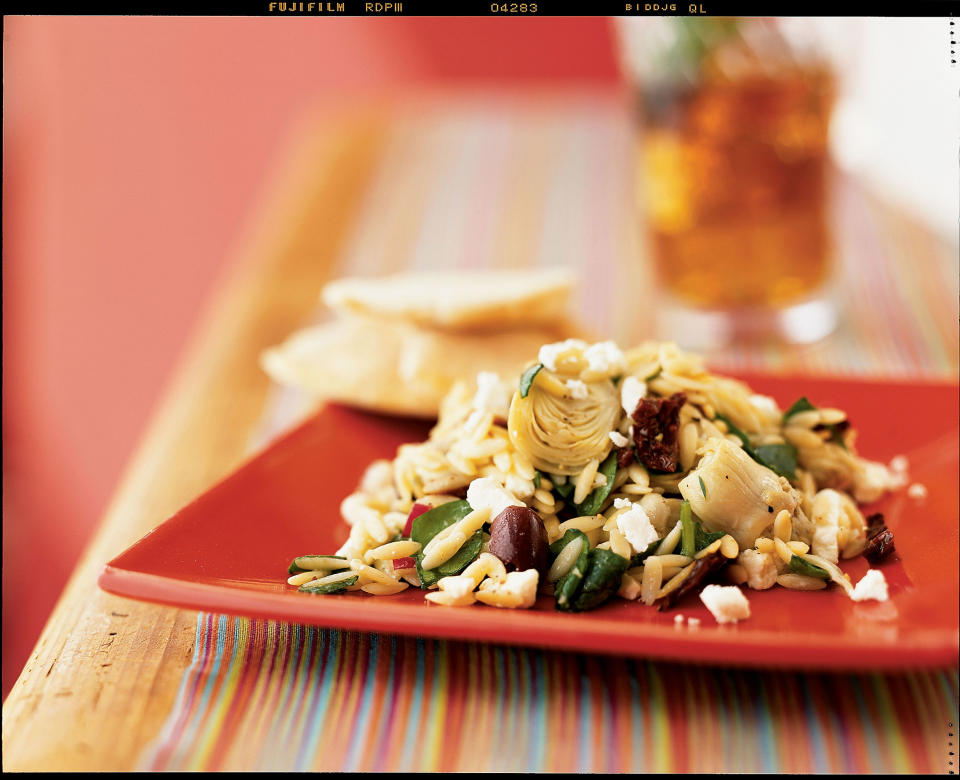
680, 644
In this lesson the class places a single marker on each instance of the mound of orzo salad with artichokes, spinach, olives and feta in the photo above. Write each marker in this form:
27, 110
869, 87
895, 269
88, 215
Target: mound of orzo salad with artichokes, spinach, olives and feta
602, 473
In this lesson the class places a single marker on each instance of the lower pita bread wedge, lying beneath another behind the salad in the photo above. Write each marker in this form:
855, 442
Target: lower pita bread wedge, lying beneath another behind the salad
402, 369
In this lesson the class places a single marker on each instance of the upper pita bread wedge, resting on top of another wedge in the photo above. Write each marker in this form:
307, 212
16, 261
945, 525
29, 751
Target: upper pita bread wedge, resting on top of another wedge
459, 300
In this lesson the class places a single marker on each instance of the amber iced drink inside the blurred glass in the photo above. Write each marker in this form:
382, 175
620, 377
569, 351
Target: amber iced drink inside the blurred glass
734, 182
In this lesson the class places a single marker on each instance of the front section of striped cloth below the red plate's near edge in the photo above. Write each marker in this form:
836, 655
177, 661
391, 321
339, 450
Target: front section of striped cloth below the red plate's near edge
262, 695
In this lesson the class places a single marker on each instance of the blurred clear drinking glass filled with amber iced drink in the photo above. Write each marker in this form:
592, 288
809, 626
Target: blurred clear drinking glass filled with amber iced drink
732, 174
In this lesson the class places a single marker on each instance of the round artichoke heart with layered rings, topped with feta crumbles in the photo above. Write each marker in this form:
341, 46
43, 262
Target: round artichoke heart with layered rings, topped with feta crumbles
559, 428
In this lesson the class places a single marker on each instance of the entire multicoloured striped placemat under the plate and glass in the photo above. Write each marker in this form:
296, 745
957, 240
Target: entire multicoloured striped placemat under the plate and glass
489, 185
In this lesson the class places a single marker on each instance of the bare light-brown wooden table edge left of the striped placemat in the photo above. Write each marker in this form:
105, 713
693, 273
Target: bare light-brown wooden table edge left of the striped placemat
105, 671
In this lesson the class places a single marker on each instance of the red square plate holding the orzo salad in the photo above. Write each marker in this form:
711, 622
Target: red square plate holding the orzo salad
229, 549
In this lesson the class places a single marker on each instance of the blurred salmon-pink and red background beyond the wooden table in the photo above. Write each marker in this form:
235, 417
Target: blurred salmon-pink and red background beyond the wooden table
134, 149
